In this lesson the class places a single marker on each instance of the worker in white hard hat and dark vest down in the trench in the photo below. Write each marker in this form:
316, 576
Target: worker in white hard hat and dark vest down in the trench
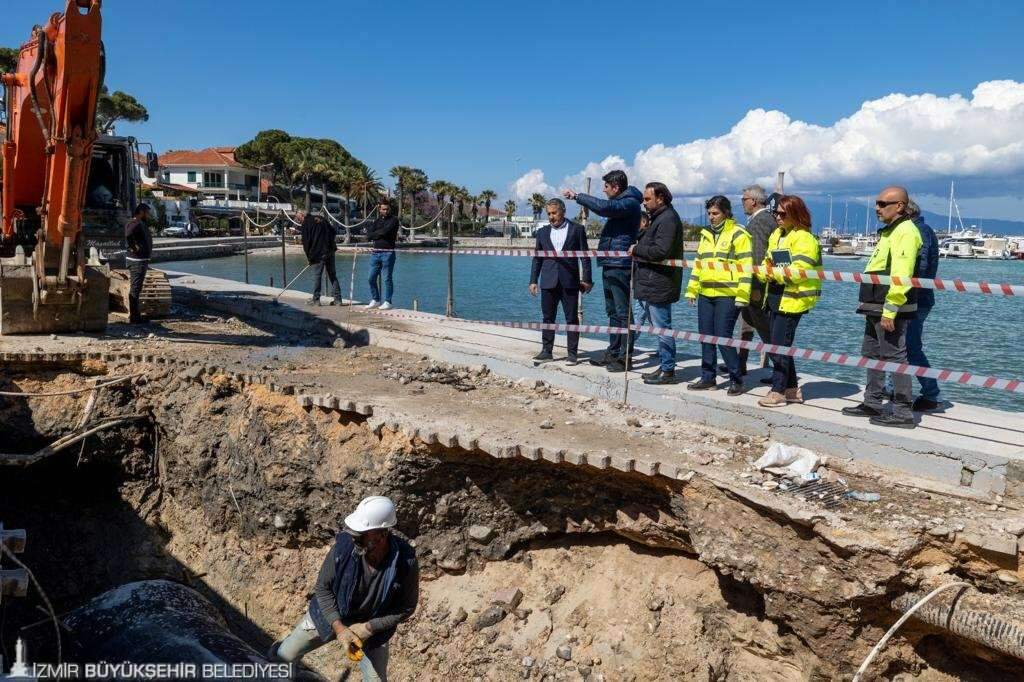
370, 583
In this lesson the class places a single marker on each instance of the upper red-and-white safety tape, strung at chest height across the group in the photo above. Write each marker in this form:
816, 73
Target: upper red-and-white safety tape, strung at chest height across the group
960, 286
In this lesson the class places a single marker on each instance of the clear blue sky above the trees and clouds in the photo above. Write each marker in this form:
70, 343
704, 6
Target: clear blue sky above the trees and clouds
464, 90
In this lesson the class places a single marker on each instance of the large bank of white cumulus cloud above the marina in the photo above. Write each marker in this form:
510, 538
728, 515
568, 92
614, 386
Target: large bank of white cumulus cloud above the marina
919, 141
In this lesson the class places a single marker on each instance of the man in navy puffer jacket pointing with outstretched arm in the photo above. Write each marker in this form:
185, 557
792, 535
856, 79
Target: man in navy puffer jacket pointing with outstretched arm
620, 233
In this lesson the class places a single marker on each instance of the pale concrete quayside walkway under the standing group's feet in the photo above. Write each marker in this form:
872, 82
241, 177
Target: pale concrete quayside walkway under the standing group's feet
965, 448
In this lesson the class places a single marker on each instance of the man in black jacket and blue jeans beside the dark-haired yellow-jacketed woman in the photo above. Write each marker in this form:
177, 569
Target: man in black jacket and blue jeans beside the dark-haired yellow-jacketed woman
656, 286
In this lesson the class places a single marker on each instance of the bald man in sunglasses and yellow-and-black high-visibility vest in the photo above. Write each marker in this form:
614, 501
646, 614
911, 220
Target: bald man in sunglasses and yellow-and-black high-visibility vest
887, 310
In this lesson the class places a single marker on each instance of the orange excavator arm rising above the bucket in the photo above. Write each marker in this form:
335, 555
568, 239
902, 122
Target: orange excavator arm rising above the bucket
51, 104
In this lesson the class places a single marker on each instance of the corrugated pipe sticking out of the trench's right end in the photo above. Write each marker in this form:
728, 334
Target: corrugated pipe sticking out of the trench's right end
995, 621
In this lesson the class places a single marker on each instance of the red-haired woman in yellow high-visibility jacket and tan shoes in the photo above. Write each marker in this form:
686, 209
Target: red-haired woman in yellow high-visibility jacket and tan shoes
789, 299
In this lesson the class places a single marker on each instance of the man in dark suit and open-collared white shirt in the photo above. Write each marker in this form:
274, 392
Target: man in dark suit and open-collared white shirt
559, 280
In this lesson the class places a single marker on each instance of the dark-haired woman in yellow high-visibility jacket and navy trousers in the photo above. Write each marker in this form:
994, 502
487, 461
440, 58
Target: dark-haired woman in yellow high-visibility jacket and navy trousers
719, 289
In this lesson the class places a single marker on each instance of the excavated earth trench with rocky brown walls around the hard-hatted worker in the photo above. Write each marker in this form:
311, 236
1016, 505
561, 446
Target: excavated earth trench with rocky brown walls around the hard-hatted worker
237, 492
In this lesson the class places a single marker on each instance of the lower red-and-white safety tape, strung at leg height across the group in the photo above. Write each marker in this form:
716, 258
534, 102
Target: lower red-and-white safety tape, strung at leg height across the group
955, 376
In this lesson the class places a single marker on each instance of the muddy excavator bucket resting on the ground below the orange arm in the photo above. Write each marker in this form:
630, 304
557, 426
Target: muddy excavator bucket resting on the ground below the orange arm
25, 311
